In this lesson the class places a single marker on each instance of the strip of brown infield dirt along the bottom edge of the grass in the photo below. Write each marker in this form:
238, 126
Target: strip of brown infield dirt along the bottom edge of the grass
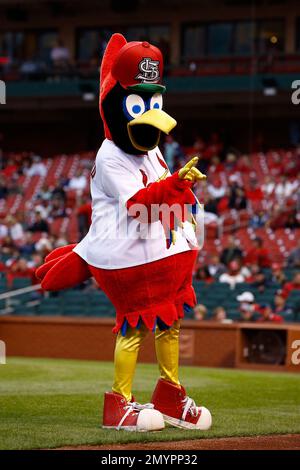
276, 442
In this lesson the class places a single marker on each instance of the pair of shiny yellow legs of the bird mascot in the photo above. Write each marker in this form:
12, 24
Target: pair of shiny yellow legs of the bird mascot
126, 354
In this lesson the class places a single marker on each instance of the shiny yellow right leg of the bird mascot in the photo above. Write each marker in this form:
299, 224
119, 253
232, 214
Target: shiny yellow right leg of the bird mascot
167, 352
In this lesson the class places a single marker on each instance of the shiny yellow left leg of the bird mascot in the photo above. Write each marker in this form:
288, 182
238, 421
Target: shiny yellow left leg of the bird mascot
126, 353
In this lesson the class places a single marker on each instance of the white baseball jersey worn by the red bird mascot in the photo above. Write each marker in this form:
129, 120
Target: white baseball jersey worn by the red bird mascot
116, 239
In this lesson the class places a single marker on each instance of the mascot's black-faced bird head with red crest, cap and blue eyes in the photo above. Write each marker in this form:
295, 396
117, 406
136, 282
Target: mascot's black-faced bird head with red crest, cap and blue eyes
131, 95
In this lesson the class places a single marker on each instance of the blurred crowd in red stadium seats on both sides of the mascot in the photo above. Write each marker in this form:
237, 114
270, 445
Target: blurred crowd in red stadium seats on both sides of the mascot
251, 217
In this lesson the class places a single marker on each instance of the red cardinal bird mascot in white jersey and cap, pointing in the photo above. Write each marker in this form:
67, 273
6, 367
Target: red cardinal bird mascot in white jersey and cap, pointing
143, 263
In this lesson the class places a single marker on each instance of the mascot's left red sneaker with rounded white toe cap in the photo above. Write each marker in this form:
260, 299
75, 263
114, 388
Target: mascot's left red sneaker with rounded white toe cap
119, 414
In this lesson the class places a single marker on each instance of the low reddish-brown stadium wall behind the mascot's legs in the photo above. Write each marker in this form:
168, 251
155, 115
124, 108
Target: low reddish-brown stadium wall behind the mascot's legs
201, 344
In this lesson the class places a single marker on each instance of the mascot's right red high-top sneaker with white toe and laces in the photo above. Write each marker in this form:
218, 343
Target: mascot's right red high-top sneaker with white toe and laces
178, 409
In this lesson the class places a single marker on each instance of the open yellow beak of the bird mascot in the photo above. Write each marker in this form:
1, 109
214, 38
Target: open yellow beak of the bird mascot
155, 118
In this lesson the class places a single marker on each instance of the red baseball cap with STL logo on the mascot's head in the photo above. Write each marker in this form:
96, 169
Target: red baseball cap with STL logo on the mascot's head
139, 66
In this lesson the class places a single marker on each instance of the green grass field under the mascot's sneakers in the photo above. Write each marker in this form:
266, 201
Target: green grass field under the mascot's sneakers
51, 403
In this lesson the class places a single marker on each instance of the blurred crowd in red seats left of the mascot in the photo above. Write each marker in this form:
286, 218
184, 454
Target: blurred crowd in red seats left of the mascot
28, 234
